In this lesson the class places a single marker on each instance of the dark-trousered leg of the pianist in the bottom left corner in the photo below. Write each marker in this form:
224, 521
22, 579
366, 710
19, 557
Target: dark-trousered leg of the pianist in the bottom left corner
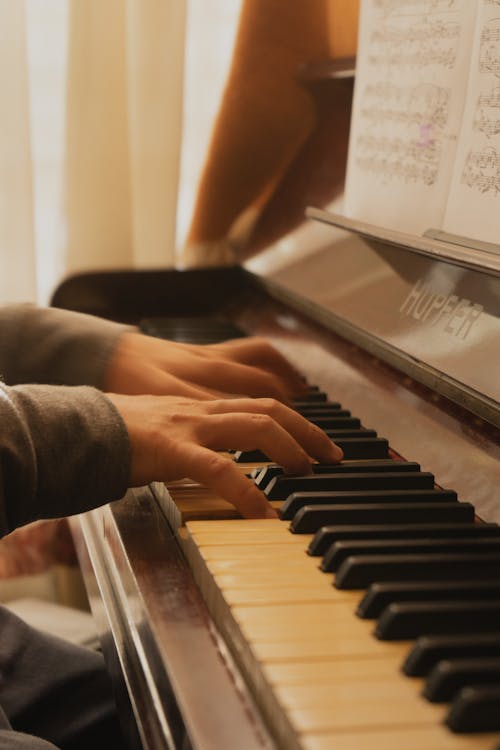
55, 690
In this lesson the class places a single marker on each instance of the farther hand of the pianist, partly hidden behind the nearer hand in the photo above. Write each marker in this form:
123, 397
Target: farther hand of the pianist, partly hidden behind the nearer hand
251, 367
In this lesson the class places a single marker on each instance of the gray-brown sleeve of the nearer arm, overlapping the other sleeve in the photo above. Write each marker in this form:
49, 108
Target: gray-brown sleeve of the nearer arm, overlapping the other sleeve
62, 451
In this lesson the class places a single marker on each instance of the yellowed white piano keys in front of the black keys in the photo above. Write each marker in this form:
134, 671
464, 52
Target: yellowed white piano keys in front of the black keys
320, 677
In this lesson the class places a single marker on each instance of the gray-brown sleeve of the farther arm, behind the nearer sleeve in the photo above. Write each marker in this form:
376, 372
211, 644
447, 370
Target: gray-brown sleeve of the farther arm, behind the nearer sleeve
54, 346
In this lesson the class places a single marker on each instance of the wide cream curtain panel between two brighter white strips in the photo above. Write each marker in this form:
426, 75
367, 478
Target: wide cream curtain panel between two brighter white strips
125, 77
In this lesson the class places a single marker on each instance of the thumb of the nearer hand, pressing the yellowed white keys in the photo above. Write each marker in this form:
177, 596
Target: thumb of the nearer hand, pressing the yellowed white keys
222, 476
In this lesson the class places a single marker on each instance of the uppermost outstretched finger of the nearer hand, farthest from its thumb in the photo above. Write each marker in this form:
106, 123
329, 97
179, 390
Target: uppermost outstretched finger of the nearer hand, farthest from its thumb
312, 439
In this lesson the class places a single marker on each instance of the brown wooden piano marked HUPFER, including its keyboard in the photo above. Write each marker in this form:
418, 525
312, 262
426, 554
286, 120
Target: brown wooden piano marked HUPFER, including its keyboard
368, 615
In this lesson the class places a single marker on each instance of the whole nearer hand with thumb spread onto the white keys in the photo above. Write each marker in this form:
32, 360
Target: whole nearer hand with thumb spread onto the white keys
173, 437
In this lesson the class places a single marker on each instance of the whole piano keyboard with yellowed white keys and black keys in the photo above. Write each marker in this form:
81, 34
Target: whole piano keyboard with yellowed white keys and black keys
322, 672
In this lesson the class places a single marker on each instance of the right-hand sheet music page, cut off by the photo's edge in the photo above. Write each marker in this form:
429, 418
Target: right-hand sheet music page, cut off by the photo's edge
474, 202
